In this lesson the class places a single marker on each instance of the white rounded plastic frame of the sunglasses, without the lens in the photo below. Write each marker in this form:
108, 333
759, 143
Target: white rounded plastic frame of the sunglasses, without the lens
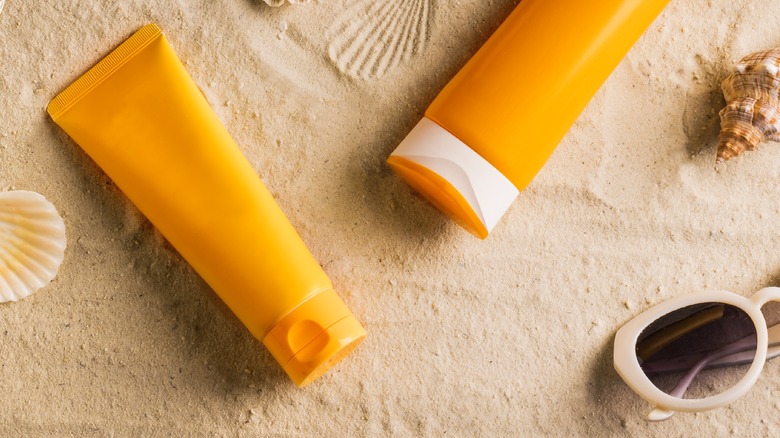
627, 364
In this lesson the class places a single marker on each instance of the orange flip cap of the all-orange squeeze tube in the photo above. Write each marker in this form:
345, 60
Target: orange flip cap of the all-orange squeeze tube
313, 337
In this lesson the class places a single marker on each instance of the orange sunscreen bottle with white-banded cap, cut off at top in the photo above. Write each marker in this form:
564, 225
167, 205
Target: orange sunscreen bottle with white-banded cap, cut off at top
492, 128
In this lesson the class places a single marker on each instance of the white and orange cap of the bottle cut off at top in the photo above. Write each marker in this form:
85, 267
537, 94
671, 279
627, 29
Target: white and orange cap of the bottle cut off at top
453, 177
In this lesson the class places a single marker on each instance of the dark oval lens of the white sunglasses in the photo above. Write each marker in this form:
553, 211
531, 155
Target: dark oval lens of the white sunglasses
698, 351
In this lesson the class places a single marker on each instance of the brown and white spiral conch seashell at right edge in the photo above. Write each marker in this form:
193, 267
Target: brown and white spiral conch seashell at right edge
752, 112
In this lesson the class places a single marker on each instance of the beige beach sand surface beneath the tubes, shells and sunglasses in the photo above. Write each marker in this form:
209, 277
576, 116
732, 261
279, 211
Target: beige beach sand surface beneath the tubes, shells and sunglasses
511, 336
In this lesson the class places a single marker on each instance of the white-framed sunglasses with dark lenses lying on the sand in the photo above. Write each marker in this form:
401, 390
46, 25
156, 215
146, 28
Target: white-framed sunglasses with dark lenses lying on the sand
699, 351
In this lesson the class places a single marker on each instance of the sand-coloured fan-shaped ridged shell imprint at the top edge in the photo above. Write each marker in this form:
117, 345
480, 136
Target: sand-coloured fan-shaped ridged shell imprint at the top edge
373, 36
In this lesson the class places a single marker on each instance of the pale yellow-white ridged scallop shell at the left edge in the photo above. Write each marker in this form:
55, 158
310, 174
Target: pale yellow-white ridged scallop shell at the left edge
32, 243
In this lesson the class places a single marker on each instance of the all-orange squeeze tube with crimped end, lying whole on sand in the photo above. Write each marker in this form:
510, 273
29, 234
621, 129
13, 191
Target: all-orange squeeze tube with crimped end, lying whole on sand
141, 117
